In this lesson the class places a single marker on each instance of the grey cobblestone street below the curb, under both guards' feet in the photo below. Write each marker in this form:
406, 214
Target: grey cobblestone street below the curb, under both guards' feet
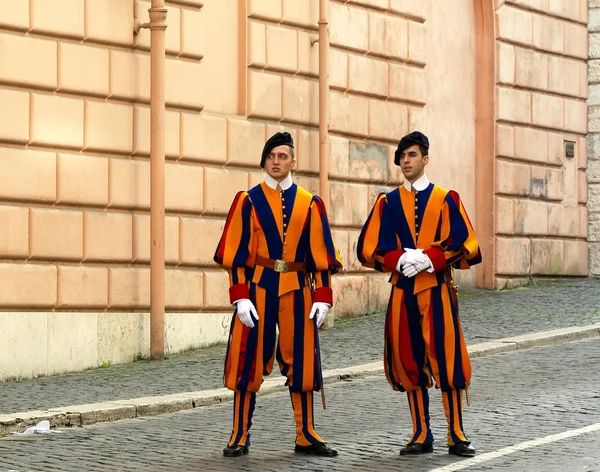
515, 398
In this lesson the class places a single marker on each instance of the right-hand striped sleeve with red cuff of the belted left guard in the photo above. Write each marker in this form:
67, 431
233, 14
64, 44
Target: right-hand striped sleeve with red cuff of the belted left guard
323, 258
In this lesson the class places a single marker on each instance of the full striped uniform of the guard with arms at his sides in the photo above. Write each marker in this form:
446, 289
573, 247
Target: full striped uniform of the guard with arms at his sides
291, 225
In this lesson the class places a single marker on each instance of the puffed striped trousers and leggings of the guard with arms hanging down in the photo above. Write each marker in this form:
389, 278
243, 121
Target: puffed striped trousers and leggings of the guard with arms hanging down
250, 356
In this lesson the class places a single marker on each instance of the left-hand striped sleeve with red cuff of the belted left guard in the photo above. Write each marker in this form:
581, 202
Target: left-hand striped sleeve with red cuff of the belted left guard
235, 247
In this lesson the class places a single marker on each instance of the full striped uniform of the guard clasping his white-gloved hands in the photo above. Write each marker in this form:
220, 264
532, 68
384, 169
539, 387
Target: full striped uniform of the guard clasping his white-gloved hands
423, 335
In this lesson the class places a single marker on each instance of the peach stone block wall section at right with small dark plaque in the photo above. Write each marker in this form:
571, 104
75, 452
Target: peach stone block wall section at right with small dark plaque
542, 87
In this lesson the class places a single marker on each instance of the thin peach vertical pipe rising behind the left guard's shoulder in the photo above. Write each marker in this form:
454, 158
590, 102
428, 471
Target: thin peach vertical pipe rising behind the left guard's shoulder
324, 101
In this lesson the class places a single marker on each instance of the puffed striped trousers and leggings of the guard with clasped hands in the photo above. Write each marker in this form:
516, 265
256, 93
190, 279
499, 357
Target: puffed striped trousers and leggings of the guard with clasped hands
423, 339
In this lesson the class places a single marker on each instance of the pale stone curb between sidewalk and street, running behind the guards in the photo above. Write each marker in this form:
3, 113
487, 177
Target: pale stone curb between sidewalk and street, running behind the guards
81, 415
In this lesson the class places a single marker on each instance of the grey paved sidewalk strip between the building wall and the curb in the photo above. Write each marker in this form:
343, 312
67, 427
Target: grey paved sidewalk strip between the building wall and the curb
486, 315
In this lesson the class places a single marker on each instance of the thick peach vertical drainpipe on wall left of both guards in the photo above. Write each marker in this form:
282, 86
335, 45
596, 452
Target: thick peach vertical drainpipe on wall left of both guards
157, 25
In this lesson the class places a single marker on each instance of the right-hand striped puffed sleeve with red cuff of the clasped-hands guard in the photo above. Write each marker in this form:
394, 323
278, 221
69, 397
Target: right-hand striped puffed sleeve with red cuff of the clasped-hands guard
458, 245
